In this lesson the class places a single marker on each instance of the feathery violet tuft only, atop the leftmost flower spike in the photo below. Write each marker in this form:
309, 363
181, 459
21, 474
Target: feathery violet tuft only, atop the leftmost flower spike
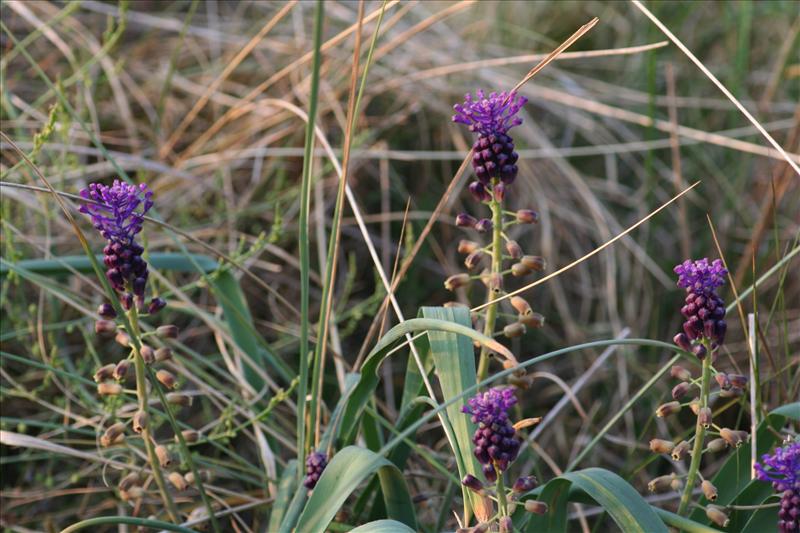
119, 215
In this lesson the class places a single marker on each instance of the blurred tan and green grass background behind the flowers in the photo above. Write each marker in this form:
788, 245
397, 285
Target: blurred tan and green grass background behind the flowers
168, 91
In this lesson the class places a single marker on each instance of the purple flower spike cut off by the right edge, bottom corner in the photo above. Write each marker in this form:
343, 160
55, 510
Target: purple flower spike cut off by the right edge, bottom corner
782, 469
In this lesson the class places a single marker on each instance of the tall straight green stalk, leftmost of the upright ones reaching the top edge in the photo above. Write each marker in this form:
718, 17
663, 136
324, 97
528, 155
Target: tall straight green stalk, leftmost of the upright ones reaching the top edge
305, 203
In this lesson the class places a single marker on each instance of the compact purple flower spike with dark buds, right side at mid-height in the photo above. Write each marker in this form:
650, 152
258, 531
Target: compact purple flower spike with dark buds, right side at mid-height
704, 310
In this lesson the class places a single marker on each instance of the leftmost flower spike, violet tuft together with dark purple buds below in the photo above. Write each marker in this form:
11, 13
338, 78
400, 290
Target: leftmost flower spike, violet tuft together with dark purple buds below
117, 212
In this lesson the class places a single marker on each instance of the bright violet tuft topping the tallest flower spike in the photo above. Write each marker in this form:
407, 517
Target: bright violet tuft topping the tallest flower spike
495, 114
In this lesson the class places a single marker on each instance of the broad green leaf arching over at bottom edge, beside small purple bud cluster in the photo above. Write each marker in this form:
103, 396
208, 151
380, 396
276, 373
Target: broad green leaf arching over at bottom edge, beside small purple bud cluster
346, 471
